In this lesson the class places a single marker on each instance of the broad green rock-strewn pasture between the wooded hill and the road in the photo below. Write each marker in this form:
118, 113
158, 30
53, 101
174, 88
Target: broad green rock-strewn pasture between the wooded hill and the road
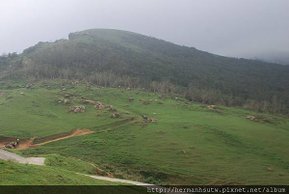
186, 144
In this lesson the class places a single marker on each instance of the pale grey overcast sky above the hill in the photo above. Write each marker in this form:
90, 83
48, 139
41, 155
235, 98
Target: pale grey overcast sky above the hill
241, 28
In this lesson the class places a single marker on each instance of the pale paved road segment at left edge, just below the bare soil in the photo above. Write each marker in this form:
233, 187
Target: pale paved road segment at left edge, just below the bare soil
5, 155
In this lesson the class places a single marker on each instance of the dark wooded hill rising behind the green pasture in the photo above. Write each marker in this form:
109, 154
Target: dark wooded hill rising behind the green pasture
118, 58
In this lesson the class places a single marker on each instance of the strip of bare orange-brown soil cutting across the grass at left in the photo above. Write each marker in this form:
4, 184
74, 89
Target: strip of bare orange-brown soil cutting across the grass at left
27, 143
